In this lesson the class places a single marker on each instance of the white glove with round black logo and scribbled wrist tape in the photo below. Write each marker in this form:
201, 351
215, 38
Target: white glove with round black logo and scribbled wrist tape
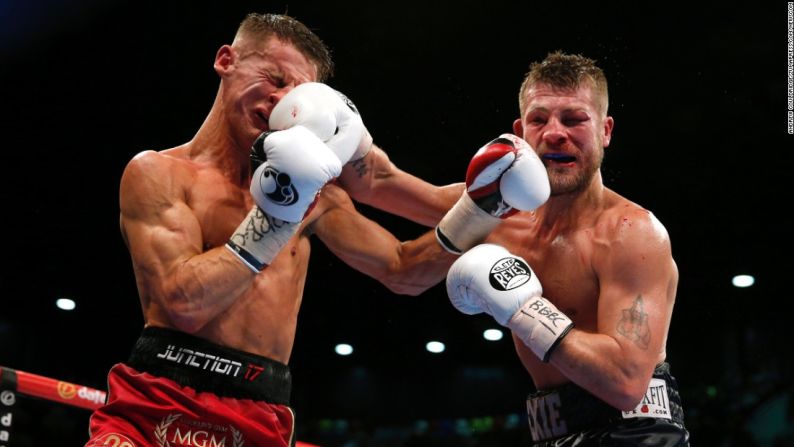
295, 166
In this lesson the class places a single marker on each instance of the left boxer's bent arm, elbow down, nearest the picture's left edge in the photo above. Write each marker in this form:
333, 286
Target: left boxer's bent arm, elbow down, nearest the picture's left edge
176, 279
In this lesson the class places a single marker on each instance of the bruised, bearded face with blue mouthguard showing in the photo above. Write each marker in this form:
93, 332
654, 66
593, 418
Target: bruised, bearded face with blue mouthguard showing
568, 131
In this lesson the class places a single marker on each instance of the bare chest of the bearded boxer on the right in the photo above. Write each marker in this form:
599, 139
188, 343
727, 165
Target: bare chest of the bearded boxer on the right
563, 263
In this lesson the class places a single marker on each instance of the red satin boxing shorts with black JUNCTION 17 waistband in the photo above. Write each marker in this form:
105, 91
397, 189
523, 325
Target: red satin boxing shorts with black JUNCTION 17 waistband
180, 390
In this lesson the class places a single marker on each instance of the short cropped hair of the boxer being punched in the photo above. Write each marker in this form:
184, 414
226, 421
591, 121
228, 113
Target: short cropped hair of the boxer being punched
288, 29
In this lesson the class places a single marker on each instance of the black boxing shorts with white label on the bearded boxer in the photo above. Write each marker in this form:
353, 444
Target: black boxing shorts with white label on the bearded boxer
570, 416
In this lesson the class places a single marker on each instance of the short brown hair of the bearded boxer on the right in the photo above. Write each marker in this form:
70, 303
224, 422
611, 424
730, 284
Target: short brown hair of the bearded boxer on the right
566, 72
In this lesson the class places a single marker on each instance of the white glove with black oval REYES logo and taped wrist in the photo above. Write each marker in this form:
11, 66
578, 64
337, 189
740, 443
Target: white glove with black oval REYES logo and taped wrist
490, 279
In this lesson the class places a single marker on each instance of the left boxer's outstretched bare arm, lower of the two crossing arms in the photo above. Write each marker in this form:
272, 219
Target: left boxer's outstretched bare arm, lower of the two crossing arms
404, 267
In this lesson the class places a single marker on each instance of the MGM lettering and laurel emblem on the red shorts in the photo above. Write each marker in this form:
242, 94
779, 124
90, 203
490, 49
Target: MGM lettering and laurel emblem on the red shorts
173, 431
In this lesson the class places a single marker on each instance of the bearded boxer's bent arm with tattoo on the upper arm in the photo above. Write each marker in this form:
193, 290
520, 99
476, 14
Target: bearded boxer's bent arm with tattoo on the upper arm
638, 279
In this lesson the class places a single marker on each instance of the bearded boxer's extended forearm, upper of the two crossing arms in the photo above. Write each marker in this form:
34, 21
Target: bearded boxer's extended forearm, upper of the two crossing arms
376, 181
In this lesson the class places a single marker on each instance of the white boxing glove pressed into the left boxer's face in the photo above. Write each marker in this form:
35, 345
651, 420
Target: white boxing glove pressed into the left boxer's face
327, 113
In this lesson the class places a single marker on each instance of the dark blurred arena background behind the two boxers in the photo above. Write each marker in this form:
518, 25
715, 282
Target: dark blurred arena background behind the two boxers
698, 93
